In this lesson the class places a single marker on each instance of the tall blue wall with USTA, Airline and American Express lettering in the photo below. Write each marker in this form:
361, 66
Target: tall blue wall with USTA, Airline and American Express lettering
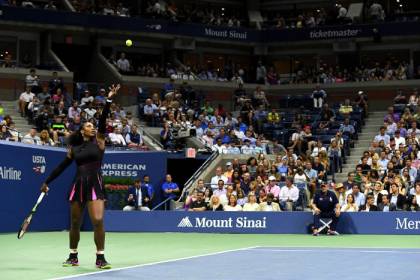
23, 168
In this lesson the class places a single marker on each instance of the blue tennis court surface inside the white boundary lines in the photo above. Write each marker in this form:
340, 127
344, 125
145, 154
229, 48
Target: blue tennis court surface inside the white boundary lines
278, 263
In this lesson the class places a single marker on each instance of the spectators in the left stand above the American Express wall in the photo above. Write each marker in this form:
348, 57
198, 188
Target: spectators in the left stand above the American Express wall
54, 115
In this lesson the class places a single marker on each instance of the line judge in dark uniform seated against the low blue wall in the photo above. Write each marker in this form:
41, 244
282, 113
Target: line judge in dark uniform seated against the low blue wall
325, 205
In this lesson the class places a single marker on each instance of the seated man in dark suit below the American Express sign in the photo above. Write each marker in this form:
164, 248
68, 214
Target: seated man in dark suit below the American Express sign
137, 197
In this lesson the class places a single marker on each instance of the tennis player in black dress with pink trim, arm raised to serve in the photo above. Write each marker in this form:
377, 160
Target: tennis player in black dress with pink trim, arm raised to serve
86, 148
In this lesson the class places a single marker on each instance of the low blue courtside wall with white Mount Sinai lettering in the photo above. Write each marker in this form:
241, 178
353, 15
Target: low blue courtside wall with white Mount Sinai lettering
259, 222
